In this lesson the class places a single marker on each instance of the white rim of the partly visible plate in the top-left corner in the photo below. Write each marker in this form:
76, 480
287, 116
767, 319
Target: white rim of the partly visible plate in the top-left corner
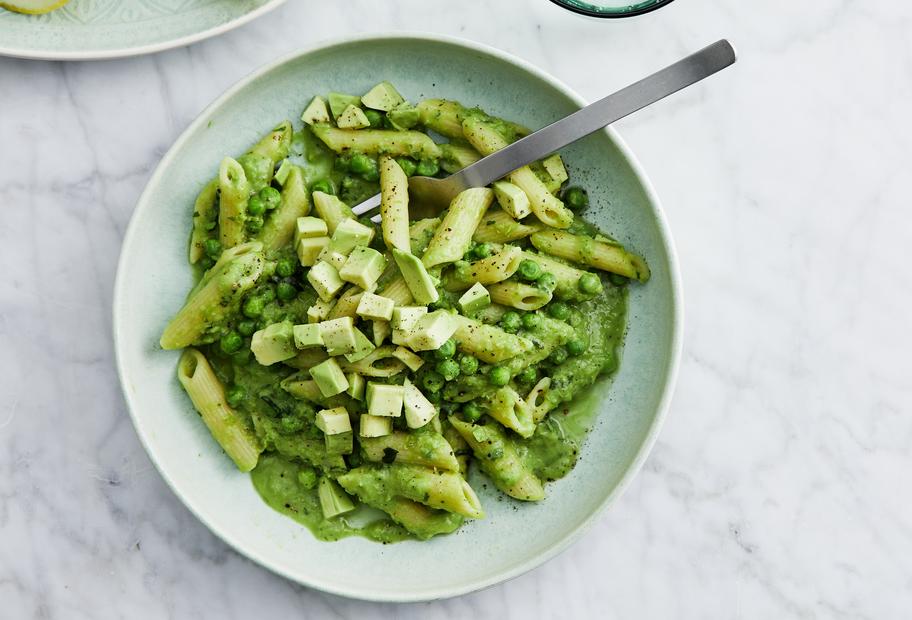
141, 50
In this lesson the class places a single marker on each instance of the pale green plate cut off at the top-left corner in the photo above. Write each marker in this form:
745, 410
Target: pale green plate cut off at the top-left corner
96, 29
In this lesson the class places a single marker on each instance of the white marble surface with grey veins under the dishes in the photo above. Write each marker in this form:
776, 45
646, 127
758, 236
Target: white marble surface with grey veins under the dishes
778, 488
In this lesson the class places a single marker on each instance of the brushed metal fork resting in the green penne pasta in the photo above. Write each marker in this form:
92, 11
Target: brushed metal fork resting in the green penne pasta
440, 192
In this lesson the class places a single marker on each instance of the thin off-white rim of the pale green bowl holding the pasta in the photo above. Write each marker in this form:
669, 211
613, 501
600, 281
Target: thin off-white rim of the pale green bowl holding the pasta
671, 364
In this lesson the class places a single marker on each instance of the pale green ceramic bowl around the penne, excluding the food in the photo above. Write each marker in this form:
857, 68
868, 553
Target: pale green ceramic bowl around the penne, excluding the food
153, 278
